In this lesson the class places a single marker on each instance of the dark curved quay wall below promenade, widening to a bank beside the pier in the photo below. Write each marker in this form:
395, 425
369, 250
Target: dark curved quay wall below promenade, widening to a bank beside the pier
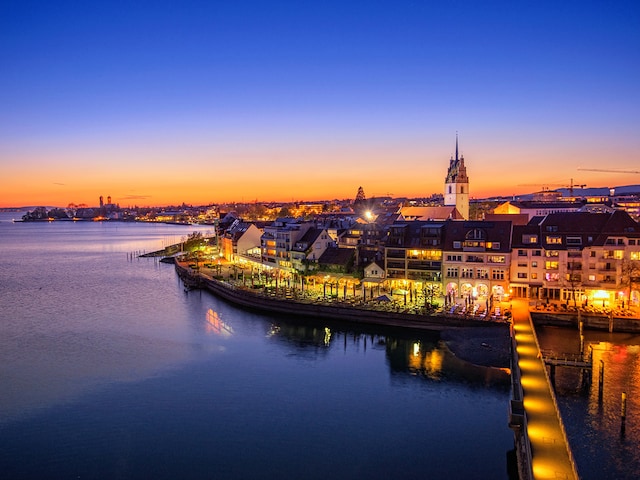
482, 342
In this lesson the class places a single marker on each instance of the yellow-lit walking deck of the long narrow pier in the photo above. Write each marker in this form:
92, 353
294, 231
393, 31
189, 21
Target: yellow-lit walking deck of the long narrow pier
551, 456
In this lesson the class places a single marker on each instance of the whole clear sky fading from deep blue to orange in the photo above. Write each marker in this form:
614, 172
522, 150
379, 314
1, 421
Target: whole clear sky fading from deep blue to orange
159, 103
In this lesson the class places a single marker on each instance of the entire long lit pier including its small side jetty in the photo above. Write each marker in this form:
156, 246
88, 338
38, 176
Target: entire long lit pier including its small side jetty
541, 442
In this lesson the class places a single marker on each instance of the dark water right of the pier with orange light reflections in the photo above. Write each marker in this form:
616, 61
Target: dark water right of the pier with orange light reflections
593, 423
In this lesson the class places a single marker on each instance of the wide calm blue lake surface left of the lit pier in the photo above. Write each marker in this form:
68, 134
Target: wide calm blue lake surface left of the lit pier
109, 369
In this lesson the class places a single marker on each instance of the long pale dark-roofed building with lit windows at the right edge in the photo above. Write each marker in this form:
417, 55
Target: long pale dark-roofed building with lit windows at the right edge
578, 257
